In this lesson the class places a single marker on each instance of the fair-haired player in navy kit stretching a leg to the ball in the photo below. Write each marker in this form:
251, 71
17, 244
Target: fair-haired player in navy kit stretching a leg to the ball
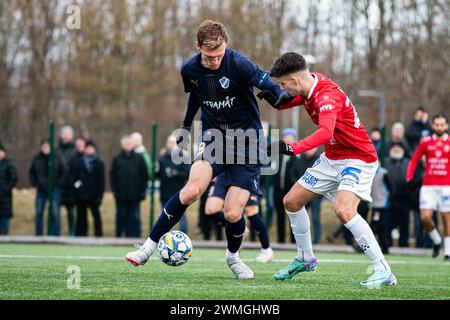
220, 81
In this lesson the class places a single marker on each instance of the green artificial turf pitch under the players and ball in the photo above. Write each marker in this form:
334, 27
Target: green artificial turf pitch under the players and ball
41, 272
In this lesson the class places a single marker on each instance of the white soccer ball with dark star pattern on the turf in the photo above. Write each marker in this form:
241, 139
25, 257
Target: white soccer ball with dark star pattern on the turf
175, 248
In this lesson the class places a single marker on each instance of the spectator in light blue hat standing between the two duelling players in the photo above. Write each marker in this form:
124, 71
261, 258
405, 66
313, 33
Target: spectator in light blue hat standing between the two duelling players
283, 181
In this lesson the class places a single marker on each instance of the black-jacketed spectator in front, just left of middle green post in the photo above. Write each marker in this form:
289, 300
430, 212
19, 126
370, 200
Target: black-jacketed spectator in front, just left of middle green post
128, 177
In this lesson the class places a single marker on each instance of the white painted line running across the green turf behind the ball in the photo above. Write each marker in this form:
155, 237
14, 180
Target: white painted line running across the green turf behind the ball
358, 261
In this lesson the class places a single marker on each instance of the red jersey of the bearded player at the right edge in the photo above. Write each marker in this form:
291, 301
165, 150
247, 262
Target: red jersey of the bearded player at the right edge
437, 154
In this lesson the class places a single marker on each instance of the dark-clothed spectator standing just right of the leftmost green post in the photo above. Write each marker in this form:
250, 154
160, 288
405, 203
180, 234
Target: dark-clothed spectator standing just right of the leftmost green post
67, 151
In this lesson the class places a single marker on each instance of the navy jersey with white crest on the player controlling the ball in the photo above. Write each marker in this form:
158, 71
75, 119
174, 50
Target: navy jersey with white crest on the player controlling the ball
225, 95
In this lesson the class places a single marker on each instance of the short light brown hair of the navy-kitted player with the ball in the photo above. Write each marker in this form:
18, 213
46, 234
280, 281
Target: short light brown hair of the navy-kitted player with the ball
211, 34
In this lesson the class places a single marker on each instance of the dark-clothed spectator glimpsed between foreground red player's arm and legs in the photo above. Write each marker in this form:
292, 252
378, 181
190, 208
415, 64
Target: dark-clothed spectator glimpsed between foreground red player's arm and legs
307, 160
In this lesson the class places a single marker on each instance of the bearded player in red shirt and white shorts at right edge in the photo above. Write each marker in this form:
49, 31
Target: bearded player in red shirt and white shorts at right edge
435, 191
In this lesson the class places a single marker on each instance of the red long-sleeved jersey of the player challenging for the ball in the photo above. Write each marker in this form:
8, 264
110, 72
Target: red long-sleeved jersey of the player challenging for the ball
340, 129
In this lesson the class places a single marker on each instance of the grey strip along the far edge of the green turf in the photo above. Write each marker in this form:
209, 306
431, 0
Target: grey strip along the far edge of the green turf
107, 241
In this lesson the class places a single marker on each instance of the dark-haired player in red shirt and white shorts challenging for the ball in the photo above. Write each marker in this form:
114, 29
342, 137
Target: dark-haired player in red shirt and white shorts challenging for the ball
343, 173
